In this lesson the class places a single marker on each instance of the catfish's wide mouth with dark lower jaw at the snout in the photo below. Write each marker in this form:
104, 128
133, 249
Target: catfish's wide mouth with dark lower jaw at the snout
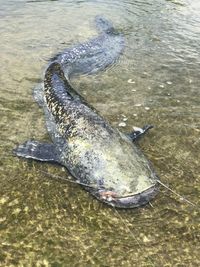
131, 201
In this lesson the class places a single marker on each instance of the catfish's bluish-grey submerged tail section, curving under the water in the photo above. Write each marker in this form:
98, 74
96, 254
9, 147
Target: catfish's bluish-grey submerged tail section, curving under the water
94, 55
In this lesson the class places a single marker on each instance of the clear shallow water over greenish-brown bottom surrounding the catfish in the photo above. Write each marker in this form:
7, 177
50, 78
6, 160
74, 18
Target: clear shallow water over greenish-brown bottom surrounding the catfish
47, 222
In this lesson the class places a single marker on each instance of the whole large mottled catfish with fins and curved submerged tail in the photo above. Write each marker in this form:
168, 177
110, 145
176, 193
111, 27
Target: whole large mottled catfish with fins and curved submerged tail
106, 162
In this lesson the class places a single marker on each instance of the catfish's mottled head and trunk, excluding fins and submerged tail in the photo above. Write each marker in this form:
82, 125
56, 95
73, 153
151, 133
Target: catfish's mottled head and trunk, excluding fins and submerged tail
97, 155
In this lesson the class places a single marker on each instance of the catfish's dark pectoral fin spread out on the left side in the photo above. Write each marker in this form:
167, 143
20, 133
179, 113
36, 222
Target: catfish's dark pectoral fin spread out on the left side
37, 151
